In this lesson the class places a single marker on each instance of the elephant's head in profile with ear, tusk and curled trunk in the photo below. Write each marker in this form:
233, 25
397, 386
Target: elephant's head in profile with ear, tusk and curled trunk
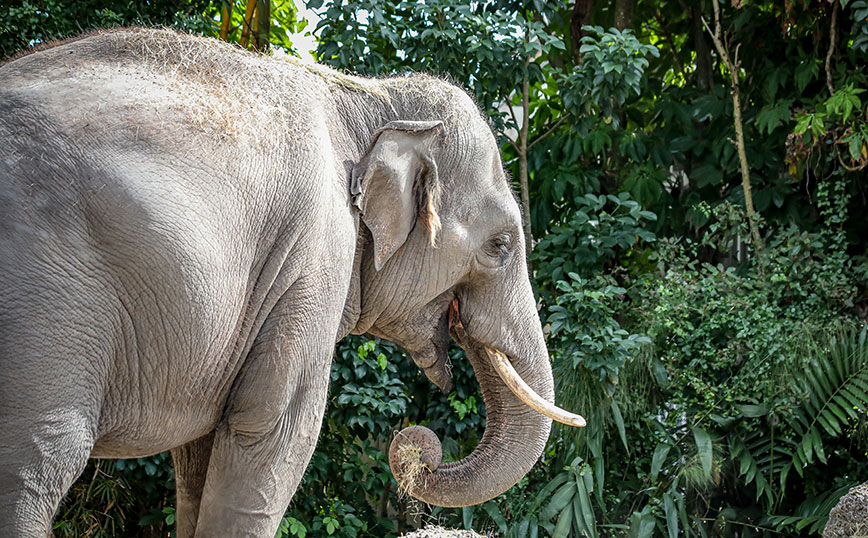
444, 258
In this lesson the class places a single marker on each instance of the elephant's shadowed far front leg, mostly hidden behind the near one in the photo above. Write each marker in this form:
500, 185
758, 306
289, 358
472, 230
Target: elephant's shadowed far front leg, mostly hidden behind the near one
191, 466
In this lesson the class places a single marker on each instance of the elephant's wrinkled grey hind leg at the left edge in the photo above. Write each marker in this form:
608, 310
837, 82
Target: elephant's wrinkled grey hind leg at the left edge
50, 396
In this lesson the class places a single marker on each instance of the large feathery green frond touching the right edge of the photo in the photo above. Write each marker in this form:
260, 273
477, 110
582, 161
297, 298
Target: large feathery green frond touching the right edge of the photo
835, 388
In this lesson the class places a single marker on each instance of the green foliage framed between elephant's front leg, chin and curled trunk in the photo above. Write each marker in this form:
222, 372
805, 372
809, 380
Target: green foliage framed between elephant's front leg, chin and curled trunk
376, 390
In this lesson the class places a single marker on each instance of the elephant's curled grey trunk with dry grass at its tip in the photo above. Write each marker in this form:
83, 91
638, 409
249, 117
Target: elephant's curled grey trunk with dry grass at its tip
513, 441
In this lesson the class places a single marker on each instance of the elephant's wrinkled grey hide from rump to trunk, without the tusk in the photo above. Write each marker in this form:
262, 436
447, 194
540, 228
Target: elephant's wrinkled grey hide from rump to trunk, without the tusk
186, 229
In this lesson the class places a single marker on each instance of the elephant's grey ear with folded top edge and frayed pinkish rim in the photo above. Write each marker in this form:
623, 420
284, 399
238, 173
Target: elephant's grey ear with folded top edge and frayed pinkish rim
396, 173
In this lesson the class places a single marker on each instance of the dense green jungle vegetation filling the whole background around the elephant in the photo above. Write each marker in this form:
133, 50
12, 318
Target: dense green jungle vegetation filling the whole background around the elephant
693, 180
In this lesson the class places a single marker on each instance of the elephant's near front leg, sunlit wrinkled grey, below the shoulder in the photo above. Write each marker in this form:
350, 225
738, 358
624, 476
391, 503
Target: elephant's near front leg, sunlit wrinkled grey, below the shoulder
271, 423
